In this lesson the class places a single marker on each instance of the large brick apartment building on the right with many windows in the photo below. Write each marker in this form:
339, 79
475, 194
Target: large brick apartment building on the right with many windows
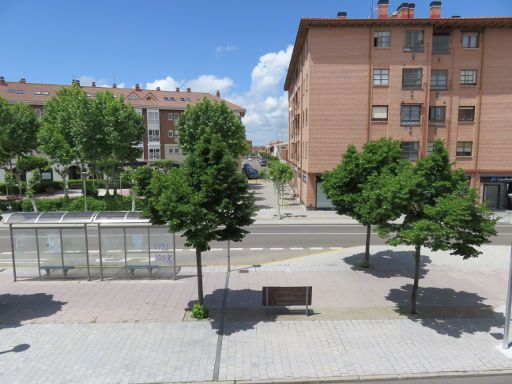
412, 79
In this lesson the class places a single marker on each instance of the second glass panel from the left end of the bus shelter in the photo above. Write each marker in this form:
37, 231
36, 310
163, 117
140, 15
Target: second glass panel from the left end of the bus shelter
50, 251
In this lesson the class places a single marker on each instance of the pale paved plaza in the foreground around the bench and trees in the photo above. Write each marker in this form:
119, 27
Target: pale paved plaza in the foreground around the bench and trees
140, 331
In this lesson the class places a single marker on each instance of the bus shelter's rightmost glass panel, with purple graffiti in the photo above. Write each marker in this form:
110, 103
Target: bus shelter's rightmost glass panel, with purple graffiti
162, 256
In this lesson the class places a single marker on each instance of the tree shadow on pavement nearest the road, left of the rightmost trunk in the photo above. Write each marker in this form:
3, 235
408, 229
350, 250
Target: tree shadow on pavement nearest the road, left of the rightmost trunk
389, 263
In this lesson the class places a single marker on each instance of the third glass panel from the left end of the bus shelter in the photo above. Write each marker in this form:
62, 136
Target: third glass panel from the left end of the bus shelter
75, 259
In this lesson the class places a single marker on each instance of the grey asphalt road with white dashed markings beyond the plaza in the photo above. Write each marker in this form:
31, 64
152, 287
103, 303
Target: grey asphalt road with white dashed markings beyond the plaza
264, 243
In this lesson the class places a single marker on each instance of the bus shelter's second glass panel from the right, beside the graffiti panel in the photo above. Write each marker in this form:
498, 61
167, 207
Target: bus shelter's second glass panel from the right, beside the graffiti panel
137, 252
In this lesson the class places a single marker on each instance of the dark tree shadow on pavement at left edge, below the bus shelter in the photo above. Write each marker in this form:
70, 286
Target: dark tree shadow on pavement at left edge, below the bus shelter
14, 309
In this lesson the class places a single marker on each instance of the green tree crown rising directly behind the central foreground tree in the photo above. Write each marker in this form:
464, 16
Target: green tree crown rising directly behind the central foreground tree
215, 116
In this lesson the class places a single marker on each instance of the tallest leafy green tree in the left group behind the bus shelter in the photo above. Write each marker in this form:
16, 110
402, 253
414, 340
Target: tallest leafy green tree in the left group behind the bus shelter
64, 121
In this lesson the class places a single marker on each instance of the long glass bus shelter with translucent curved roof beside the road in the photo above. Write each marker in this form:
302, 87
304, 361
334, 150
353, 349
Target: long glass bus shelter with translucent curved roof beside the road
89, 245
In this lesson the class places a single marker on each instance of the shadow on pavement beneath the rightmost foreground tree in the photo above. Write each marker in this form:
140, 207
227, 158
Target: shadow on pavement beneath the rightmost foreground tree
446, 311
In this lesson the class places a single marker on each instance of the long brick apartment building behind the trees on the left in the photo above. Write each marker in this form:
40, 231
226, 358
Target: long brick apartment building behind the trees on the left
160, 109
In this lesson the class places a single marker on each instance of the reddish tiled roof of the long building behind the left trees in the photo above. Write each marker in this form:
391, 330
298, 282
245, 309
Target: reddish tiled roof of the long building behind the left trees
38, 94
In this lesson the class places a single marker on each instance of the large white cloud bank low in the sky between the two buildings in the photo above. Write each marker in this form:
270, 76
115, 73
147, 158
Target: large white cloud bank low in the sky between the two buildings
266, 103
